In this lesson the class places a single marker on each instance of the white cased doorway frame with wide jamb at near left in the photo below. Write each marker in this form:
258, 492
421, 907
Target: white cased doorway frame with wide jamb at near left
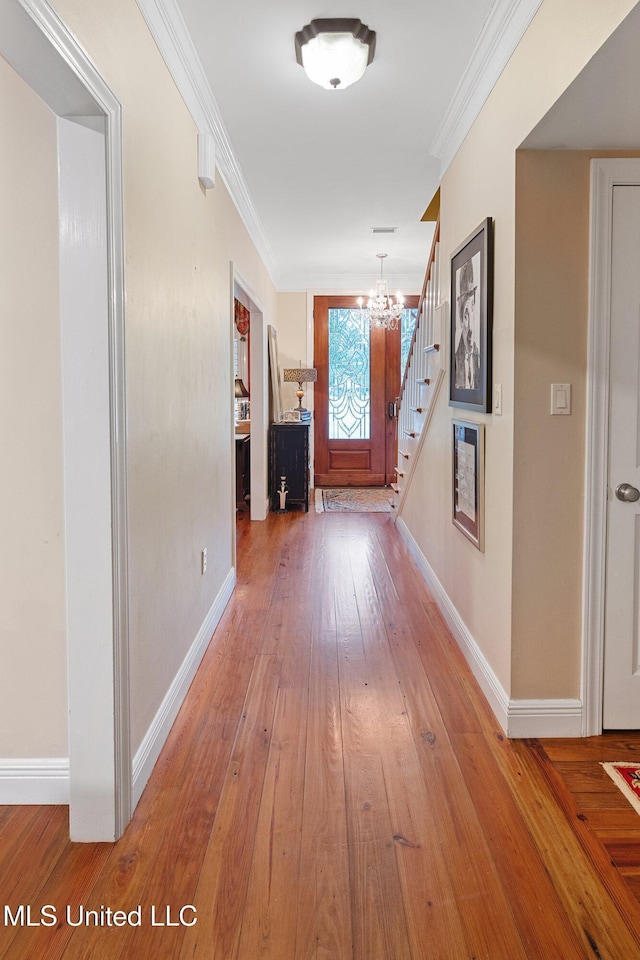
47, 58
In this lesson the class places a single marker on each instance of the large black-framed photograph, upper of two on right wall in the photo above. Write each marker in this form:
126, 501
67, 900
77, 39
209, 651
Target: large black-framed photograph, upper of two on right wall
471, 321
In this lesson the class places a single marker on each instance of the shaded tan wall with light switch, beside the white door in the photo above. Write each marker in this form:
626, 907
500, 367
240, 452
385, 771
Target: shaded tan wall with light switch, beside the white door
552, 265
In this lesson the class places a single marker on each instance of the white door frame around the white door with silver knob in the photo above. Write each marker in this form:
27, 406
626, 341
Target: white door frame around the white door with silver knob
605, 175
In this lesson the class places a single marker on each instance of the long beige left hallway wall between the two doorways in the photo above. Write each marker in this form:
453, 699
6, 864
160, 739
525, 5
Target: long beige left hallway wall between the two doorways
179, 241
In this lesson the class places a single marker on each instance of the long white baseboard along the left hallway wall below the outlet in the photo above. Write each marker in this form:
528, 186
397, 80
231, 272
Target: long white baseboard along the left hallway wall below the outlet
155, 737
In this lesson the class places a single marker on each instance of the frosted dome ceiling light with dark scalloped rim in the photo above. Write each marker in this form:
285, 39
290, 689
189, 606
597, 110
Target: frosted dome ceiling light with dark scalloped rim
335, 52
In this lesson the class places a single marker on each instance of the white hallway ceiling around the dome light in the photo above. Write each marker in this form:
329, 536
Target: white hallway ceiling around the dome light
322, 168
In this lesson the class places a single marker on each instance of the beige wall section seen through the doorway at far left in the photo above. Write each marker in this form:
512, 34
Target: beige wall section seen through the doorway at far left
32, 621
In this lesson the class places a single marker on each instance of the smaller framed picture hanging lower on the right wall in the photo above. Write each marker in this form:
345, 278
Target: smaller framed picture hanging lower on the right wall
468, 480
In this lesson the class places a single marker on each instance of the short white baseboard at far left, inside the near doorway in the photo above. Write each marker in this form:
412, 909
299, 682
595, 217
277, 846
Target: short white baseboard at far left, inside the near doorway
41, 781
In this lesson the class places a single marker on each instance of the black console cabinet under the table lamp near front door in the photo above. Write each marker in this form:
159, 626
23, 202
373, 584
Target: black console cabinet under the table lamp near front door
289, 458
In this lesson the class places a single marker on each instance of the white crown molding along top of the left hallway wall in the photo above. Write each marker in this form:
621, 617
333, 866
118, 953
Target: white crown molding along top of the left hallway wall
168, 29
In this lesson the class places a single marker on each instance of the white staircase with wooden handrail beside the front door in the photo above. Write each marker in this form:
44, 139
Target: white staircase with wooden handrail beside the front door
423, 376
